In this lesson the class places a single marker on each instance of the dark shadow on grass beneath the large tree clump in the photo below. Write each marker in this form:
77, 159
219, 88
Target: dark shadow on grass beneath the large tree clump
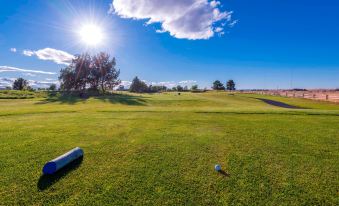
110, 98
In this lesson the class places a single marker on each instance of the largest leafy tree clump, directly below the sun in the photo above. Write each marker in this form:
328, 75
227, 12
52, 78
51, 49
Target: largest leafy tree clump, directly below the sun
96, 72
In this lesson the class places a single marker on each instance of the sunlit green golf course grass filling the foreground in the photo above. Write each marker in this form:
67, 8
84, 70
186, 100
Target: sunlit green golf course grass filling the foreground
161, 149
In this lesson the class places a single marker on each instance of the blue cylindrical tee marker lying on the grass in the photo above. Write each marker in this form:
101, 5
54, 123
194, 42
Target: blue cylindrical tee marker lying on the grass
56, 164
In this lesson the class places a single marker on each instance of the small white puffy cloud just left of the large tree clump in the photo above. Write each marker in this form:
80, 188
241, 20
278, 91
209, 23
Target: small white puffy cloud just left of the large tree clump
57, 56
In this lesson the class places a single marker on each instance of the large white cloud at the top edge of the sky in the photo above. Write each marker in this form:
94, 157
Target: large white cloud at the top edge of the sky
183, 19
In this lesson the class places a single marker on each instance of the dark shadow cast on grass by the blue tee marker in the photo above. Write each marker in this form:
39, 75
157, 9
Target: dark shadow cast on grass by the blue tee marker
45, 181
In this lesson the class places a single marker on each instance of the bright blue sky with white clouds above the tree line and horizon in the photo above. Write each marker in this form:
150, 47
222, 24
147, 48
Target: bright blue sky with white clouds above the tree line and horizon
260, 44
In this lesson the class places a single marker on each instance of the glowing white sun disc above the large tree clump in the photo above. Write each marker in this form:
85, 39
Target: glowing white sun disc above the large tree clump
91, 34
